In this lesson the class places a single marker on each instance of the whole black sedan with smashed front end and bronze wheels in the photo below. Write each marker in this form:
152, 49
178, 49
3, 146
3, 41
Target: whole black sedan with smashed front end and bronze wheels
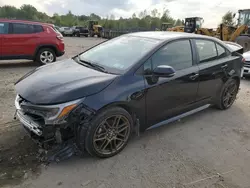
97, 99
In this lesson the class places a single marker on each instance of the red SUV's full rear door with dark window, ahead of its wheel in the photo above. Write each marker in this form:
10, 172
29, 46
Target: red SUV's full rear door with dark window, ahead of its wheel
23, 39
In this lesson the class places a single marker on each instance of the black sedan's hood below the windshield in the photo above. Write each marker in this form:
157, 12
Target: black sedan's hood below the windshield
61, 82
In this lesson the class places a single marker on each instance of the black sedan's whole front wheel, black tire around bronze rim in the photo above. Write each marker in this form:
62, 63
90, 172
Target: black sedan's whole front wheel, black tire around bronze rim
96, 126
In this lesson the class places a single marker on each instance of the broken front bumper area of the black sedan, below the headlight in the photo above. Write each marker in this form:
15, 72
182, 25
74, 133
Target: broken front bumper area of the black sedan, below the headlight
58, 140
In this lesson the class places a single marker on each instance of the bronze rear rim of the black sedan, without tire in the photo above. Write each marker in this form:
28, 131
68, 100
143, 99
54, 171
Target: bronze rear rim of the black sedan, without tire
229, 94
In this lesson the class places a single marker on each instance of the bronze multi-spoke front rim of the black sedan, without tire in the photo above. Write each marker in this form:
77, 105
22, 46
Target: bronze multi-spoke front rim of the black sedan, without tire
111, 134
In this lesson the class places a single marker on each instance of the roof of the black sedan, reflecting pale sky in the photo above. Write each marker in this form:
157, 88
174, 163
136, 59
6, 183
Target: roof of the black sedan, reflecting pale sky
167, 35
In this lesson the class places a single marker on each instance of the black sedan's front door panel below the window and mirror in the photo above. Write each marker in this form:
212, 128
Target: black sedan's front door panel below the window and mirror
170, 96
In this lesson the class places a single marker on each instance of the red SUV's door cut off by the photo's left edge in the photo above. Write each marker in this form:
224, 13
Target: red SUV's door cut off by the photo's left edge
4, 30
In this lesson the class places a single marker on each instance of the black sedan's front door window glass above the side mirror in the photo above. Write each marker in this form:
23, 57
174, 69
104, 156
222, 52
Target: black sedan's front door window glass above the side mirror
177, 54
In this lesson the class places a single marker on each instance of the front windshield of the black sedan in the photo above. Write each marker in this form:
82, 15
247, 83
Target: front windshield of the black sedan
119, 54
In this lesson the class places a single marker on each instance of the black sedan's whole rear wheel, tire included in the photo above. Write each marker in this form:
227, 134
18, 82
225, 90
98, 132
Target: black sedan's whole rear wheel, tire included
221, 100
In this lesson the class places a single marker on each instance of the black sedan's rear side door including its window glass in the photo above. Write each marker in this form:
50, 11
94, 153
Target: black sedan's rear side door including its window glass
214, 62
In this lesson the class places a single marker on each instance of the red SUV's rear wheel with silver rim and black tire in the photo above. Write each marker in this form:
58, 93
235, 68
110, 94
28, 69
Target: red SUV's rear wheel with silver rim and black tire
43, 52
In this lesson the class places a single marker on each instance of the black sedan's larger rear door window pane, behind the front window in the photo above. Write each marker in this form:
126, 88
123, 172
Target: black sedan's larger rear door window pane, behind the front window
206, 50
